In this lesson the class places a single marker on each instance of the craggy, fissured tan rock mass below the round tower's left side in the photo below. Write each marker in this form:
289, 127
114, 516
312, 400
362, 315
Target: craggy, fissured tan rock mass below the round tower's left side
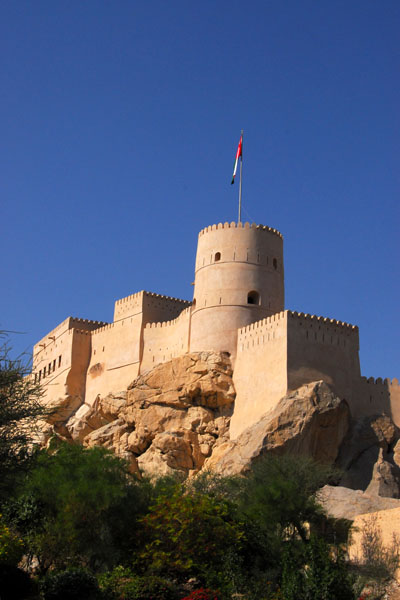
168, 421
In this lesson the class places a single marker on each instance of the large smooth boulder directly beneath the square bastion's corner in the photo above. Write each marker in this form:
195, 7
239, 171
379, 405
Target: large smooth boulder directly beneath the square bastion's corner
311, 421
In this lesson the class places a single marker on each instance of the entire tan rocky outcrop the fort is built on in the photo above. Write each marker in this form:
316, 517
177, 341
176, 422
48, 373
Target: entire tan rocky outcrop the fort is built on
175, 419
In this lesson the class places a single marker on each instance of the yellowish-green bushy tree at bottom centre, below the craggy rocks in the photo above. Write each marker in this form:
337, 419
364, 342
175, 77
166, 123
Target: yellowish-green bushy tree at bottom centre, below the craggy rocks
191, 535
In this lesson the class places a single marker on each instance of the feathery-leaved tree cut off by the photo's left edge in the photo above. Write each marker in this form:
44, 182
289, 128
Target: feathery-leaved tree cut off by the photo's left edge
20, 407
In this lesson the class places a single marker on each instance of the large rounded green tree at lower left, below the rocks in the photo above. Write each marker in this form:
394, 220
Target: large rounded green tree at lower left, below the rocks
79, 508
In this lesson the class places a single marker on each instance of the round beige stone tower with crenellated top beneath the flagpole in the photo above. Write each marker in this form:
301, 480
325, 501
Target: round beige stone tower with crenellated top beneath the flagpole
238, 280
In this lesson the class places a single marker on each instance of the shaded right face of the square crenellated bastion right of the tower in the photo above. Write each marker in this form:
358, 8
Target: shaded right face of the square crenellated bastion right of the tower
321, 348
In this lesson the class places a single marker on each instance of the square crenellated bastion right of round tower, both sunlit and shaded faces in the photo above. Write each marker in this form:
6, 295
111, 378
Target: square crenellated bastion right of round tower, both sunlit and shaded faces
283, 352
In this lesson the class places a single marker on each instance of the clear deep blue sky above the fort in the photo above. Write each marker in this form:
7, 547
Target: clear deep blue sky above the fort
119, 124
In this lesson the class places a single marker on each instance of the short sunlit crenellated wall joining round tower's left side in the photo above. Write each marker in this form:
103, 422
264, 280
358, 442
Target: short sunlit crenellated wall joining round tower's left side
163, 341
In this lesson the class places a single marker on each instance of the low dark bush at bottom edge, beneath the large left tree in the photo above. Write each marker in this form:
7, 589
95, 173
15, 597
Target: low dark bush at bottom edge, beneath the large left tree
74, 584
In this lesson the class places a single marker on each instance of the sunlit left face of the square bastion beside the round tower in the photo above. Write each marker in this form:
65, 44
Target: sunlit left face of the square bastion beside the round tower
260, 375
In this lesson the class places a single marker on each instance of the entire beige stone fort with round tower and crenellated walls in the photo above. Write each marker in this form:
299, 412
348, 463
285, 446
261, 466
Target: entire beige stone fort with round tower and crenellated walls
238, 308
